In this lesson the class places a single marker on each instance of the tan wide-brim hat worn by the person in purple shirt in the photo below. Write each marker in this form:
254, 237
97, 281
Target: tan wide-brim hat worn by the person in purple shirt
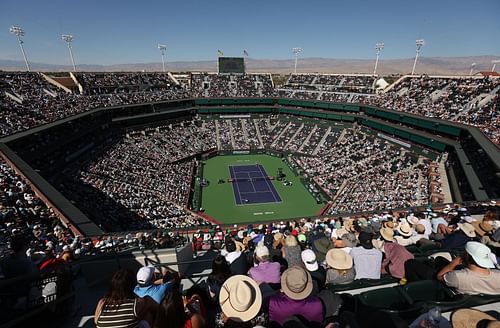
296, 283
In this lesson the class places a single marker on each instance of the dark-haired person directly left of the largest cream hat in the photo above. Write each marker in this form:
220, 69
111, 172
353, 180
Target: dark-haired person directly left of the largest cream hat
173, 312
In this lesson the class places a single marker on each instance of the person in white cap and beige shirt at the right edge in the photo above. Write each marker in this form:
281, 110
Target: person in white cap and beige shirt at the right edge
478, 276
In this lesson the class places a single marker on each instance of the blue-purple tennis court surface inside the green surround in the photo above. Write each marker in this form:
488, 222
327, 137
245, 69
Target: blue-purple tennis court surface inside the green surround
251, 185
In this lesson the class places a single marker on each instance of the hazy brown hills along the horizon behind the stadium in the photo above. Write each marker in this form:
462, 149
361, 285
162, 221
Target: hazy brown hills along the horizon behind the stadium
428, 65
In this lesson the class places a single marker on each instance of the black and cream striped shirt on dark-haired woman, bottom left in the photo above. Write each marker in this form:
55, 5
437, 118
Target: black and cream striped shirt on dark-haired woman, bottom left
118, 316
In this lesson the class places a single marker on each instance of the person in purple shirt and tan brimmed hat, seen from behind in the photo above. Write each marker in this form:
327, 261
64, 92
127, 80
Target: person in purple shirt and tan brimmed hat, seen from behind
295, 298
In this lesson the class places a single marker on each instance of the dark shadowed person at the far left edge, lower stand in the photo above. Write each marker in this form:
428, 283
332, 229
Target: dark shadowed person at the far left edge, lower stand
17, 264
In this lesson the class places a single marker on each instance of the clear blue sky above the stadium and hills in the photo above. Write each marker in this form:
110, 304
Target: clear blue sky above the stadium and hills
114, 31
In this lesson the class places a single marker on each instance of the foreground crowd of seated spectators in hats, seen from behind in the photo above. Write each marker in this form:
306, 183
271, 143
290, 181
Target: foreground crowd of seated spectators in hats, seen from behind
286, 274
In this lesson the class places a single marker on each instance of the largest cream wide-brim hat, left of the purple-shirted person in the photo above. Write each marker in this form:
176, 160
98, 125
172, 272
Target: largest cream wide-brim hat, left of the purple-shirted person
240, 298
